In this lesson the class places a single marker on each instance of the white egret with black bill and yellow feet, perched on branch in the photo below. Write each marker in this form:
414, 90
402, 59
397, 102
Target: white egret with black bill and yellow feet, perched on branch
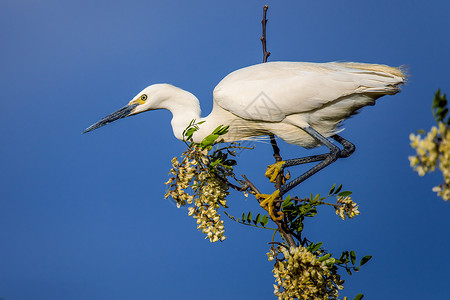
302, 103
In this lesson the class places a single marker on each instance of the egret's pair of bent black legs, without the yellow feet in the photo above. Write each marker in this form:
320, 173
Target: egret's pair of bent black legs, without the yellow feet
325, 159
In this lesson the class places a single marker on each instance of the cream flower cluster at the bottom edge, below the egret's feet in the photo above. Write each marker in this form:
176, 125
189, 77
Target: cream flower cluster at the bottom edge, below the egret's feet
302, 275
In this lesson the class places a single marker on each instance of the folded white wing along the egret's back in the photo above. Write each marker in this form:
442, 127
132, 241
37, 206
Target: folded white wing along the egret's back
271, 91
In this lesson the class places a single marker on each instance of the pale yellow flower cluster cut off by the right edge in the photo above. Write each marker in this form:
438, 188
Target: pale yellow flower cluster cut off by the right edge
433, 150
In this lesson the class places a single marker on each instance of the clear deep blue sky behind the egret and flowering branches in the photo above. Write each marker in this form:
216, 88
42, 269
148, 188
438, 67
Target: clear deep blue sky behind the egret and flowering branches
83, 216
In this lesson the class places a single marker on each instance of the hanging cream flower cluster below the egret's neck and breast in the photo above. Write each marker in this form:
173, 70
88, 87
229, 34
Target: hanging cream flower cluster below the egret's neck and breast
195, 182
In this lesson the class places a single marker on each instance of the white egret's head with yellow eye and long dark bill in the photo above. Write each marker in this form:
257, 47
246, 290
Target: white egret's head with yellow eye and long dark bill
151, 98
